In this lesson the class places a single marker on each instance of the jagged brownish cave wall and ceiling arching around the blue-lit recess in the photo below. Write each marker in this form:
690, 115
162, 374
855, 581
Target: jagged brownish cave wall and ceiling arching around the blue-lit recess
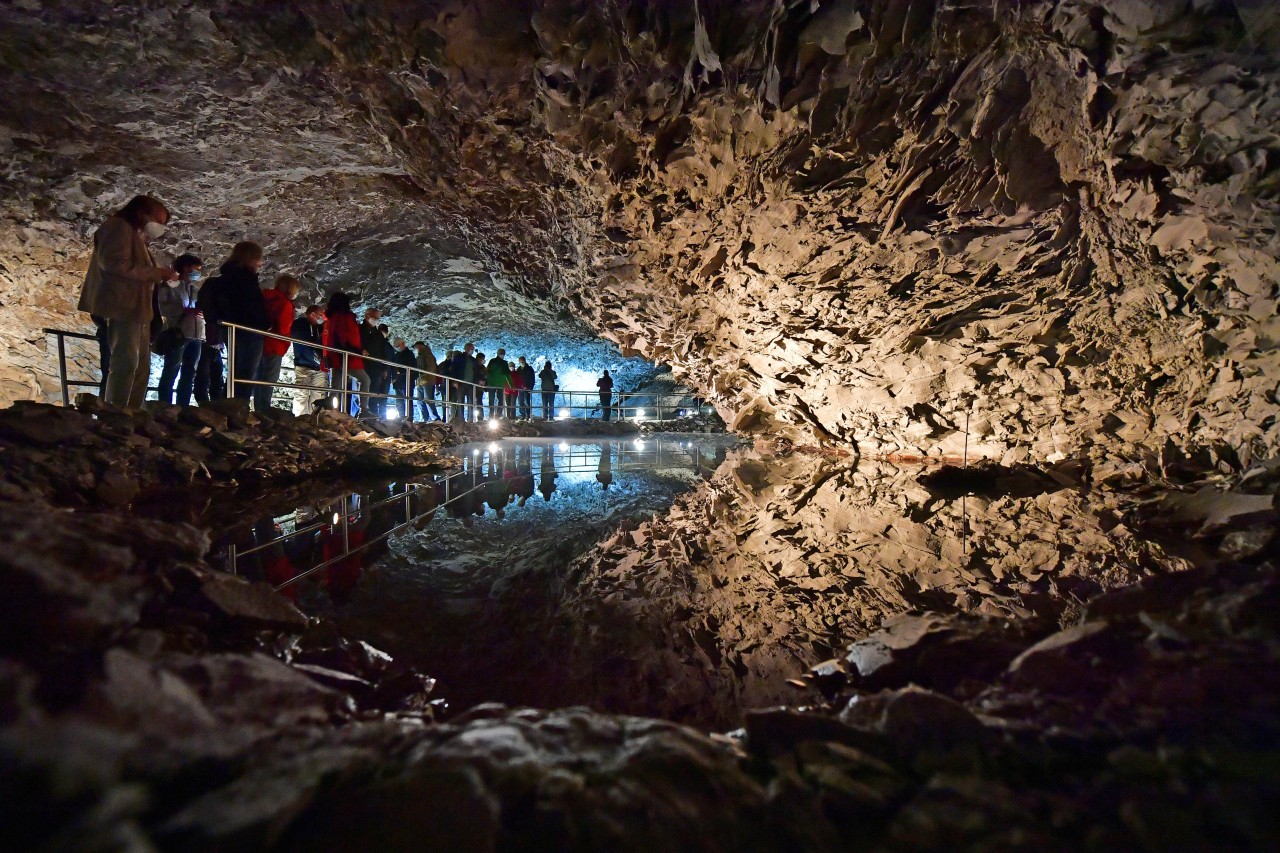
889, 225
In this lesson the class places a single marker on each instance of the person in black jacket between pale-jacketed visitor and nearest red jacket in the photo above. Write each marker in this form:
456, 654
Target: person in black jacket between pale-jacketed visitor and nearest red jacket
237, 299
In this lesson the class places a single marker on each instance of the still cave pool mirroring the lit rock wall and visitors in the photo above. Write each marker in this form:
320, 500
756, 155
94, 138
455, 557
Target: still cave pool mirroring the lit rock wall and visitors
648, 578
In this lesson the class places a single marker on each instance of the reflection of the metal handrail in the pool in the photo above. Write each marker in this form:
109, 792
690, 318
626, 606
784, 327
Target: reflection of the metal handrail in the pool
413, 490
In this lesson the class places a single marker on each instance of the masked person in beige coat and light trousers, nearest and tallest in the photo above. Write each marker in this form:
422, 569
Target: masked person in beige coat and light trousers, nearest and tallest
118, 289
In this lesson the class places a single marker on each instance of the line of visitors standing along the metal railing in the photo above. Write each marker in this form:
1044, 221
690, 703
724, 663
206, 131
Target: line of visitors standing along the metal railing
140, 307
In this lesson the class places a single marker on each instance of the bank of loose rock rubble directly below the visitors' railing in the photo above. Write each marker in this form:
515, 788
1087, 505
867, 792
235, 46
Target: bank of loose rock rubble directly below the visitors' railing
102, 455
